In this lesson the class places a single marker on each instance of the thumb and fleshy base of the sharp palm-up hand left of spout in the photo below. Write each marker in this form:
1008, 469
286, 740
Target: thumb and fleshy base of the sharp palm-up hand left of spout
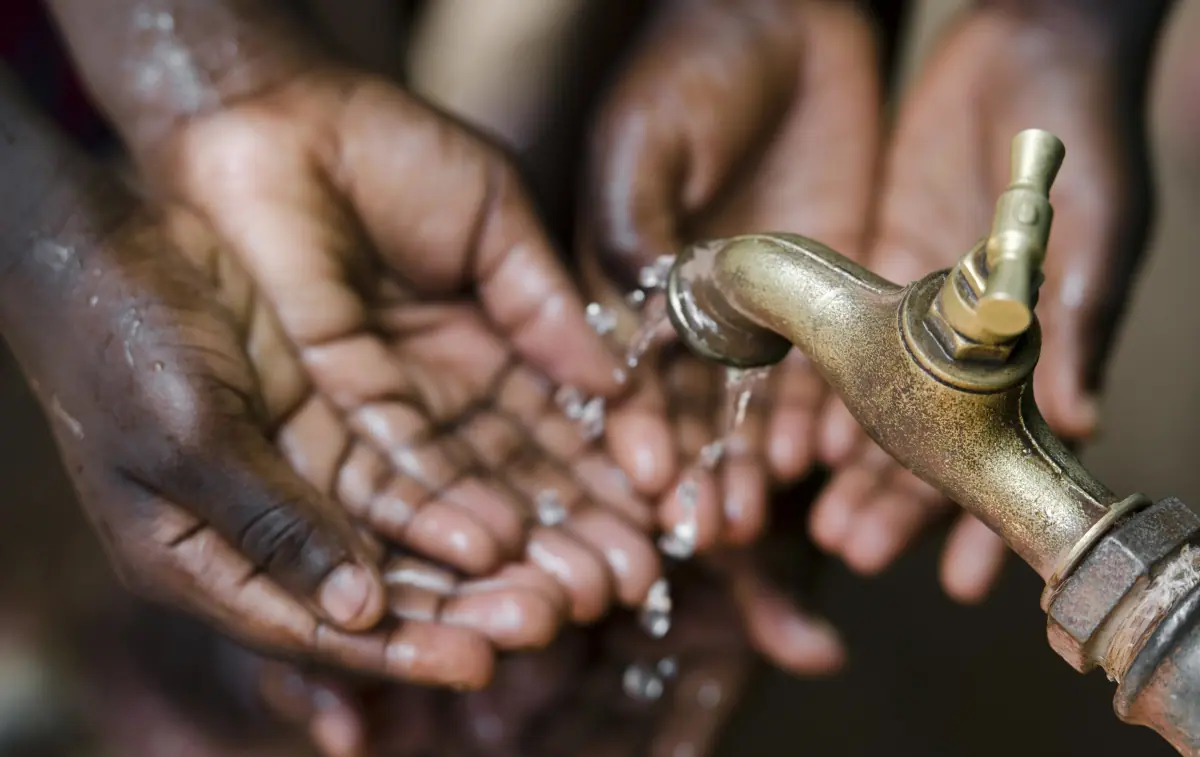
469, 224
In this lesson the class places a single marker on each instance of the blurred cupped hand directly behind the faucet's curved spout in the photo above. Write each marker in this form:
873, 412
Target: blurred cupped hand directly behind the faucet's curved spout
733, 118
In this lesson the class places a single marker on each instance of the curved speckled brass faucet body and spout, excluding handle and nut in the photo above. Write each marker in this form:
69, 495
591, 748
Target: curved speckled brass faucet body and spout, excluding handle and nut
973, 431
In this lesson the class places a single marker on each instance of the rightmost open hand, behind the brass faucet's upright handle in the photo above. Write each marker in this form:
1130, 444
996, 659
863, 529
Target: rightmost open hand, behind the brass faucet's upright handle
994, 76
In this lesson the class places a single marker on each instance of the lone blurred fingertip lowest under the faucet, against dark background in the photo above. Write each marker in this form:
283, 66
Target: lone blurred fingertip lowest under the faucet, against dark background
778, 628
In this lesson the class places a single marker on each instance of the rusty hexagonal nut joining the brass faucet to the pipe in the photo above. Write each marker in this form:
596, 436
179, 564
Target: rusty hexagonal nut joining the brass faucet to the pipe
1123, 560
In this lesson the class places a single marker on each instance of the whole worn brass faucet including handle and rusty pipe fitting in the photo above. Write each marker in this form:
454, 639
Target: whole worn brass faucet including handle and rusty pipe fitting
940, 375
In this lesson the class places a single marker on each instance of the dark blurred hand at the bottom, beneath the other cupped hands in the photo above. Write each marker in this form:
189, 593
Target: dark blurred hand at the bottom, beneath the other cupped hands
607, 690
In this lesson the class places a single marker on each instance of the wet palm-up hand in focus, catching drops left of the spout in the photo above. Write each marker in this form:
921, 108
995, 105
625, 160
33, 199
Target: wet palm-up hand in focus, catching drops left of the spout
433, 333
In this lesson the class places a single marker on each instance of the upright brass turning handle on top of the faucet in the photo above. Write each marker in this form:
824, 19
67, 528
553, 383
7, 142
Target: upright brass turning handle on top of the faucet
1019, 235
